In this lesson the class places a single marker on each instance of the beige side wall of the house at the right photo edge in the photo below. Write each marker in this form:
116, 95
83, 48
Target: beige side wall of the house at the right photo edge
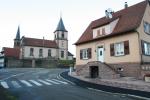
143, 35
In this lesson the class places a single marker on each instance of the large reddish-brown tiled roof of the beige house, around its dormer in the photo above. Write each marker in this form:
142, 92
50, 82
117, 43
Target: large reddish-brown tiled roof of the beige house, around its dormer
129, 19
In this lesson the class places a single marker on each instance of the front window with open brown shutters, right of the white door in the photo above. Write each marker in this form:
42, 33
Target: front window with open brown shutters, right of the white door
119, 49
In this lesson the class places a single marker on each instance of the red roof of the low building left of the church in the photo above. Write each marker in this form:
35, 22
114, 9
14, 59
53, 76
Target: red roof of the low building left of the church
11, 52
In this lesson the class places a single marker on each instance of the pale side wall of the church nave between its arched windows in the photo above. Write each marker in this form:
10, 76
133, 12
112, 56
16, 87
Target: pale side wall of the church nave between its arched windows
36, 52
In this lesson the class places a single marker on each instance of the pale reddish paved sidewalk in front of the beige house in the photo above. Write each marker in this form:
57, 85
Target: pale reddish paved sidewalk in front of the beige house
124, 82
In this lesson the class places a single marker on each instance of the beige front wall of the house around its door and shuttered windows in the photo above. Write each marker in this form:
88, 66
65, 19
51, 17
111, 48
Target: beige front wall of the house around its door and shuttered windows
134, 55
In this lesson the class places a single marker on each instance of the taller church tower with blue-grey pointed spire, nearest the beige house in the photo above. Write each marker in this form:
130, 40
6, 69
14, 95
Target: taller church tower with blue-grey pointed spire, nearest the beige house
61, 38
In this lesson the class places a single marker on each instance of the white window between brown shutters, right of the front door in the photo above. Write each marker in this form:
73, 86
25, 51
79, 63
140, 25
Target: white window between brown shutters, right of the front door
119, 49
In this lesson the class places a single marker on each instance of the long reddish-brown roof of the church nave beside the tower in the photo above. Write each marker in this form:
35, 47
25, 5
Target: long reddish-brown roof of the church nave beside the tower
39, 42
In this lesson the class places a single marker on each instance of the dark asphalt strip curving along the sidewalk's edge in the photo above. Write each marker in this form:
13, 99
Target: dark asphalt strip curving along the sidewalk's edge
133, 93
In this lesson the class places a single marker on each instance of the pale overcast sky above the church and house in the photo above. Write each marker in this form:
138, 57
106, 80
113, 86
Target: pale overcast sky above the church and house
39, 18
